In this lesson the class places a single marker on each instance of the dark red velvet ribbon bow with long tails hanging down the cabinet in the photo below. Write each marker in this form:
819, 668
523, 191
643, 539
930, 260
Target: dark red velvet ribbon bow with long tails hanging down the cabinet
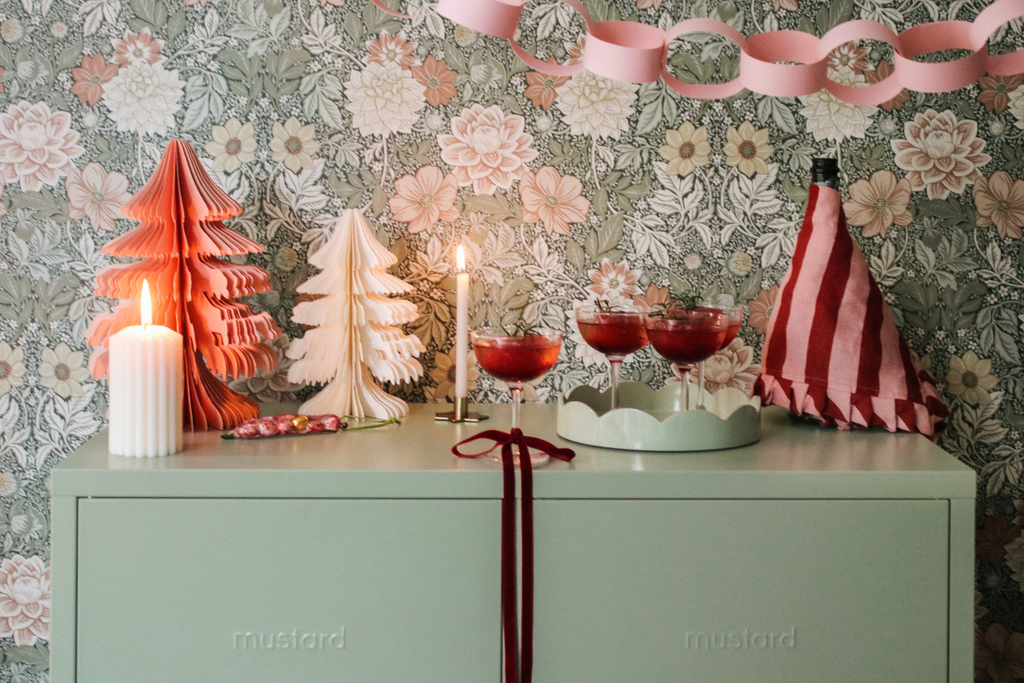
519, 649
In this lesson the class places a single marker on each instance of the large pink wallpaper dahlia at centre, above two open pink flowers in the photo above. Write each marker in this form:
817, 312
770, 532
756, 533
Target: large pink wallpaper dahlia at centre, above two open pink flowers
488, 149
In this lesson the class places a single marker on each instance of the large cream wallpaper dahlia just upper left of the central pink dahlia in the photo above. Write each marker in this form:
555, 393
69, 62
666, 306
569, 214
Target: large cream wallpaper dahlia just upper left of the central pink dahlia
385, 100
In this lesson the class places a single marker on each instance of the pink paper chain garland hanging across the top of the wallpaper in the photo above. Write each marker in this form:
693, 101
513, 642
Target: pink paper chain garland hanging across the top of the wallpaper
637, 53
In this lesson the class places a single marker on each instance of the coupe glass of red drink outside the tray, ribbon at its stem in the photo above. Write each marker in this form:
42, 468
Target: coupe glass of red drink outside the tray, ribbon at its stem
517, 360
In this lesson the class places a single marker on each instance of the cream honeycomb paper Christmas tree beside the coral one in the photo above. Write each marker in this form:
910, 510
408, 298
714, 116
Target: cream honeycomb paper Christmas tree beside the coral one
356, 332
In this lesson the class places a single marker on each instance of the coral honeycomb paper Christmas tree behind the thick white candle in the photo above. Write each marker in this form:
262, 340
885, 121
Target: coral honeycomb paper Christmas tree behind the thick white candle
180, 237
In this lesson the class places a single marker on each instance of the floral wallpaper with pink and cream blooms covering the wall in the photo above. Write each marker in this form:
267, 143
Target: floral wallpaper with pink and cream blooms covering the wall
563, 190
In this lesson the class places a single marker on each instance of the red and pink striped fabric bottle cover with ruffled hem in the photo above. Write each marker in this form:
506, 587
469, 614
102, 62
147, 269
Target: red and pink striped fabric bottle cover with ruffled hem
833, 351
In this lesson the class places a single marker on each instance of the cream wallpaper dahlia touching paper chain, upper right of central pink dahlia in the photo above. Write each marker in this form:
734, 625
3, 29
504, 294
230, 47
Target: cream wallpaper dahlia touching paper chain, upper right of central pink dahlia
596, 106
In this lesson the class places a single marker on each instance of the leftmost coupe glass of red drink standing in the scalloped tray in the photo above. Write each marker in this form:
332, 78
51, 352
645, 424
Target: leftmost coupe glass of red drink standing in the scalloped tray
616, 333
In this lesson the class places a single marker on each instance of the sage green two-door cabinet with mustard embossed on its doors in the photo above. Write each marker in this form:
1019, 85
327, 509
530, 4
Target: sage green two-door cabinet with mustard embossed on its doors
374, 558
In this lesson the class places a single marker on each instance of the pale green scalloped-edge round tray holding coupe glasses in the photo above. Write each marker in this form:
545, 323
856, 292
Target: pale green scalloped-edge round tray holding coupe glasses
652, 420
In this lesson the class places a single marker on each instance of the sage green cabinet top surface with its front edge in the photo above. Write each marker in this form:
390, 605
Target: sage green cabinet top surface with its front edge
794, 460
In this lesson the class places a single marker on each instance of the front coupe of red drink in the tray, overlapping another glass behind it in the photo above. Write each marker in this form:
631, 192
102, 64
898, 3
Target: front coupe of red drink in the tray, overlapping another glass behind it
686, 337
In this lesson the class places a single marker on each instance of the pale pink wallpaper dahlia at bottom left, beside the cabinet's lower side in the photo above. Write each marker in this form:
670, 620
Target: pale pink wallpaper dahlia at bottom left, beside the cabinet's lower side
25, 601
